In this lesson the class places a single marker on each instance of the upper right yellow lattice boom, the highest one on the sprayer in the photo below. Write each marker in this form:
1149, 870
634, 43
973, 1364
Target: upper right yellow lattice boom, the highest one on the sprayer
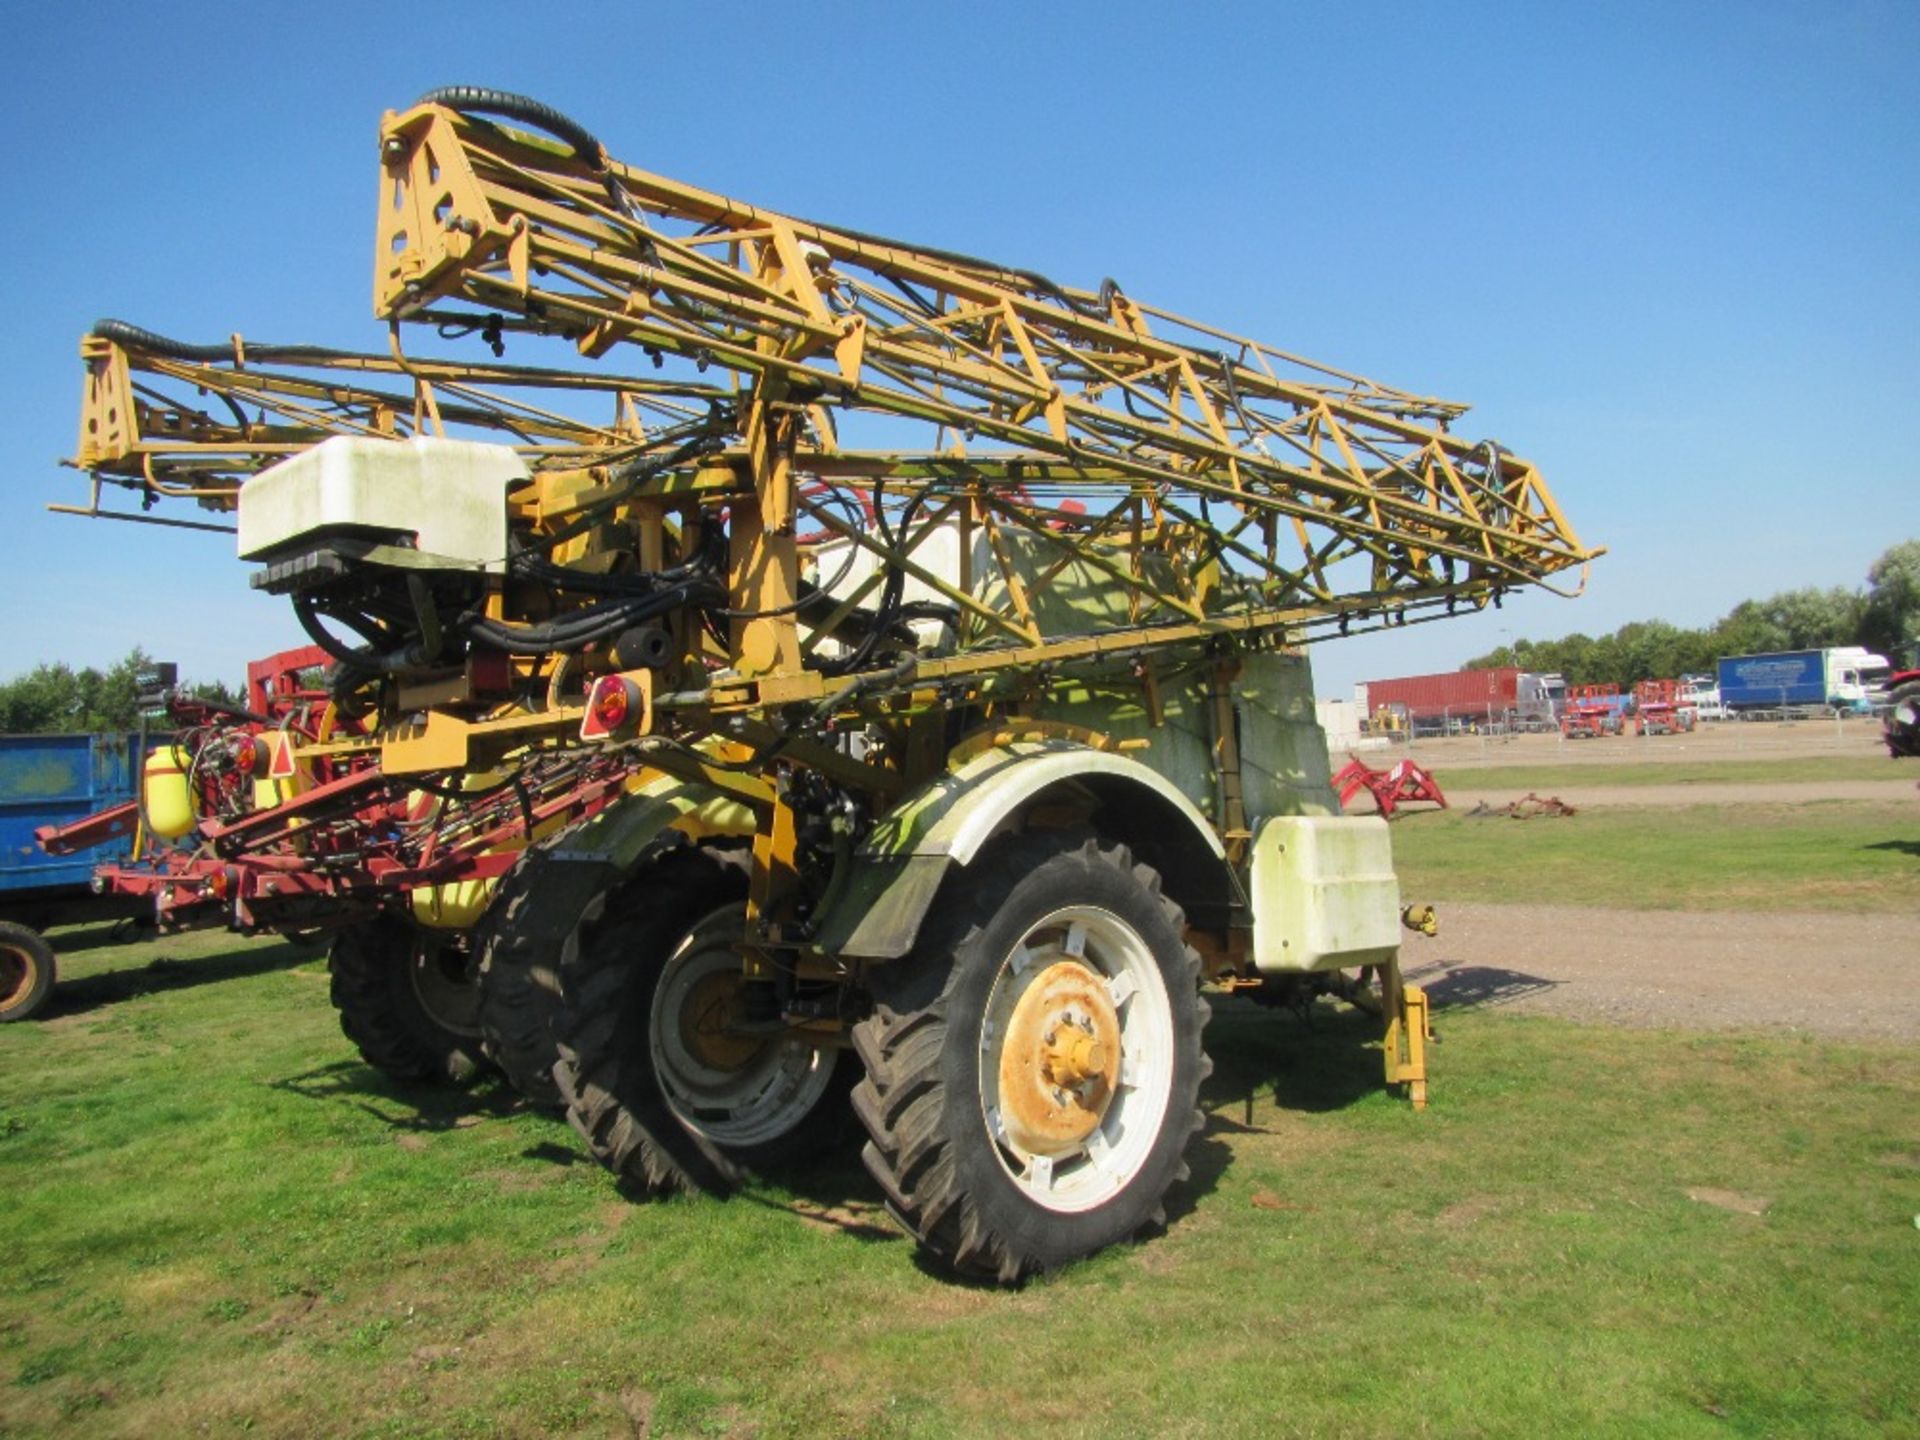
1328, 496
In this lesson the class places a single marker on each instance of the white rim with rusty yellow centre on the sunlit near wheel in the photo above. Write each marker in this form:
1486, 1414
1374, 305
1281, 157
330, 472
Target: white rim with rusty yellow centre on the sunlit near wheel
1076, 1059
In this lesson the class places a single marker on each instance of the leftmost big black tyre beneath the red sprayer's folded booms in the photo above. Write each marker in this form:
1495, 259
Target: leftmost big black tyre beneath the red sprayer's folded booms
408, 1001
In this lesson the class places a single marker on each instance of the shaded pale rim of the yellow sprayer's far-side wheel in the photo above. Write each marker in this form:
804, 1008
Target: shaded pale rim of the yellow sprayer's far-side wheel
734, 1105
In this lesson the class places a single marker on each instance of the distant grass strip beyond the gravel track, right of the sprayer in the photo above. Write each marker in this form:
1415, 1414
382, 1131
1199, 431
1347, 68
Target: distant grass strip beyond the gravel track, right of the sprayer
1829, 855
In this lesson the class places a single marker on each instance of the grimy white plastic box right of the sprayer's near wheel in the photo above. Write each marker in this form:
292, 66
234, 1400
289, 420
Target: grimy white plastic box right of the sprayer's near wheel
1326, 896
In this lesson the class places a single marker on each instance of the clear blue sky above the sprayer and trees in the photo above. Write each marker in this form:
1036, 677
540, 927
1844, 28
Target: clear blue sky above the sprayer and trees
1669, 252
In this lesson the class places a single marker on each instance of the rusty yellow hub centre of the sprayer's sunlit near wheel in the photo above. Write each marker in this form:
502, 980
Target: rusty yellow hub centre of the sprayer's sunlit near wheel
1061, 1061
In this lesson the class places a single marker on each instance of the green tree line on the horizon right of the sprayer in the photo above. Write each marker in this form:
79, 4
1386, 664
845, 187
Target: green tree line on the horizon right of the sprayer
1884, 617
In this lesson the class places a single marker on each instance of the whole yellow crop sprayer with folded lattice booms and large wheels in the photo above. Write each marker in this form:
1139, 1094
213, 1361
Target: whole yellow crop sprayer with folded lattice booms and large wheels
949, 773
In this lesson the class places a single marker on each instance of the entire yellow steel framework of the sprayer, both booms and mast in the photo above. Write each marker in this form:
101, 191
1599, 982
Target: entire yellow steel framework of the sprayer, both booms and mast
1103, 491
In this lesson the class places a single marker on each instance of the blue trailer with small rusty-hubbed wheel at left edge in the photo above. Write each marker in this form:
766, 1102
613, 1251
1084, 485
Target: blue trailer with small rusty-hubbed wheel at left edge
57, 780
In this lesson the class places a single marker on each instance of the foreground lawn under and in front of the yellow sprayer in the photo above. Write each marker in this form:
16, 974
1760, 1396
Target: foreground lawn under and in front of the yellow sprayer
220, 1222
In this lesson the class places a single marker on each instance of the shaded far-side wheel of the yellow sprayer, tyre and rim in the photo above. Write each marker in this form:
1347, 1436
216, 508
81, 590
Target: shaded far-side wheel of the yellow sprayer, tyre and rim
663, 1084
